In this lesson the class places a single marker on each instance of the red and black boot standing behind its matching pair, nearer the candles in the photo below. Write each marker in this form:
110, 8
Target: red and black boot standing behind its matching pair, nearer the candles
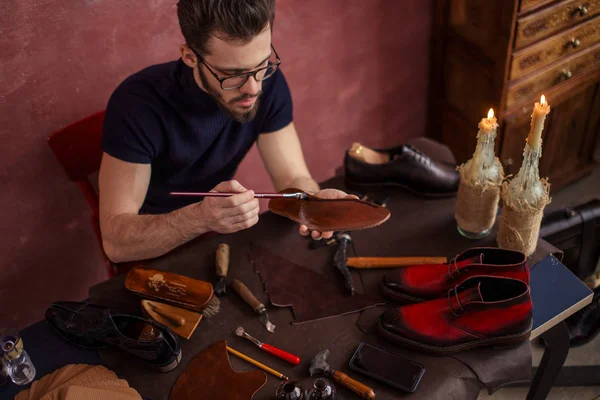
423, 282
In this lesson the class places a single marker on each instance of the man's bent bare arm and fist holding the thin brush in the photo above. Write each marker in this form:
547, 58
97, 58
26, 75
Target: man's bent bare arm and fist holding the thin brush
128, 236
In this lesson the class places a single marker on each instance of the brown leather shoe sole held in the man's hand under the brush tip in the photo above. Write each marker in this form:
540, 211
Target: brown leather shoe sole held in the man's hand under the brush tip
330, 214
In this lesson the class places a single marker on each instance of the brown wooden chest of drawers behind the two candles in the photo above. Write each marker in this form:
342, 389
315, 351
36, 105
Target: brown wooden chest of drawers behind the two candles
506, 53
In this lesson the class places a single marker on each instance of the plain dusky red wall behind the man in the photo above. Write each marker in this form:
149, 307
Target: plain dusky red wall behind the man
357, 70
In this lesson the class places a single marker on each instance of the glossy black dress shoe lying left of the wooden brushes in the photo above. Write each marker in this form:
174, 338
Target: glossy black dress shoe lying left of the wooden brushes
95, 326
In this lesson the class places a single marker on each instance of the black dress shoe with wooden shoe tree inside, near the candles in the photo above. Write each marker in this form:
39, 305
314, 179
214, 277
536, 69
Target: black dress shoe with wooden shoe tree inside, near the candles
408, 168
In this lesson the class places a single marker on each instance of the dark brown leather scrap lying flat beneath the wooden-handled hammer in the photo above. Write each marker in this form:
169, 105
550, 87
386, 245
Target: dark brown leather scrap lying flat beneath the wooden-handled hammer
310, 295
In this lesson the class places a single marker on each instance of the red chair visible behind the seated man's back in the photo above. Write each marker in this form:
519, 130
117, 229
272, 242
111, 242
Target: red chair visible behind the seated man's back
77, 148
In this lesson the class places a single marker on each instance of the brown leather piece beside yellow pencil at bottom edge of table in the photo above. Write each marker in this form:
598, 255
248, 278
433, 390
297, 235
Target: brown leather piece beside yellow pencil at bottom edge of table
210, 376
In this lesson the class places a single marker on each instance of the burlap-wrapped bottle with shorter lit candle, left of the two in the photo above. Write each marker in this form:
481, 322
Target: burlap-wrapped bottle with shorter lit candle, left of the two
480, 180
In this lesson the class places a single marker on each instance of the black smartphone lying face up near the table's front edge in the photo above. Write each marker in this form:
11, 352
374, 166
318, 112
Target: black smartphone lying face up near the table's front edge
387, 367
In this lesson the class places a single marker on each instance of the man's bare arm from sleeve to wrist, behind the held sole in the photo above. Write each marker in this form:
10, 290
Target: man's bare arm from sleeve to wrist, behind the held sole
283, 158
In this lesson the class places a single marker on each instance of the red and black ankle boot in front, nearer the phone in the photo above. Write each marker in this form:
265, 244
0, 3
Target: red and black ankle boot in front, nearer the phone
481, 311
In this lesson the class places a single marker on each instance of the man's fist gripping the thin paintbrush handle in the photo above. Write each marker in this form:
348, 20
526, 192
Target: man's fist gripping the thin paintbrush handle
229, 214
